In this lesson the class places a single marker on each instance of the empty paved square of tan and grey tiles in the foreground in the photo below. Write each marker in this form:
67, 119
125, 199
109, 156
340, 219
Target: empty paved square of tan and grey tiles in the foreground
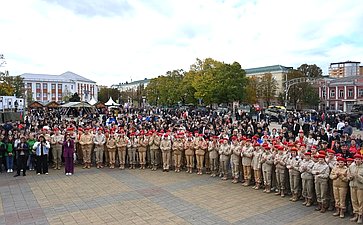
144, 197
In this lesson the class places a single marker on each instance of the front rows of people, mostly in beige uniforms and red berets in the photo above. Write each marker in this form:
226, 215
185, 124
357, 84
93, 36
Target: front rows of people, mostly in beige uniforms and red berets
328, 176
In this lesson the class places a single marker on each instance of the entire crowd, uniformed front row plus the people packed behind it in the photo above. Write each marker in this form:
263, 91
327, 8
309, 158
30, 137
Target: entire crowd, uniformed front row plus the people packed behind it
316, 161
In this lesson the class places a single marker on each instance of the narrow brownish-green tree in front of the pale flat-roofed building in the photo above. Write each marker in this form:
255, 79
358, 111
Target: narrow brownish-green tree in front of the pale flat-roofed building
267, 87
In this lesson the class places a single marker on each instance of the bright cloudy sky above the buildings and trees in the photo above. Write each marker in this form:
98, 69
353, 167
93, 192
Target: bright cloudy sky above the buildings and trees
114, 41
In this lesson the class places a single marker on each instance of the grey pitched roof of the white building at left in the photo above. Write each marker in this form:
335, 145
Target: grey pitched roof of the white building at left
64, 77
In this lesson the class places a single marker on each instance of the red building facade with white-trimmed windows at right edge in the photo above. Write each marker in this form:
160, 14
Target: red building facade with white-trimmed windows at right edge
340, 93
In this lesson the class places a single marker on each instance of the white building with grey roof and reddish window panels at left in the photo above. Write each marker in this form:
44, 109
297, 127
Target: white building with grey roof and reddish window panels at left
46, 88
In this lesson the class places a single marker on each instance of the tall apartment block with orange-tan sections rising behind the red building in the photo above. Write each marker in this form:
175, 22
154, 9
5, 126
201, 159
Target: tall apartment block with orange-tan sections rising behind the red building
345, 69
